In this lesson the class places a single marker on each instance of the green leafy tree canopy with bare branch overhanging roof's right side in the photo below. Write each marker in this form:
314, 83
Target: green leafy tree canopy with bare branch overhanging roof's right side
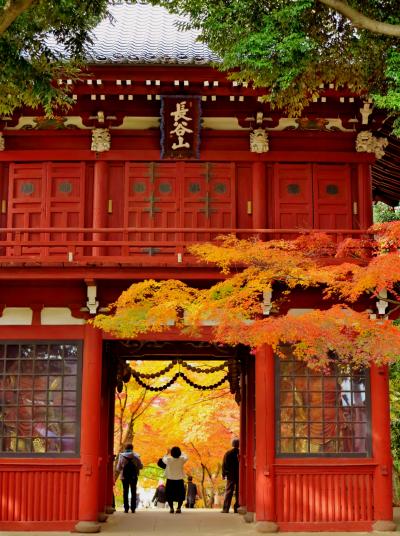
292, 47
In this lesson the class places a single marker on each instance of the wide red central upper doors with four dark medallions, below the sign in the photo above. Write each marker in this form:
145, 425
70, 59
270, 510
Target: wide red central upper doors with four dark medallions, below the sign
179, 195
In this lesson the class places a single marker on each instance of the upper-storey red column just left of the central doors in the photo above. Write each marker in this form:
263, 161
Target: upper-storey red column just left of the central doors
99, 202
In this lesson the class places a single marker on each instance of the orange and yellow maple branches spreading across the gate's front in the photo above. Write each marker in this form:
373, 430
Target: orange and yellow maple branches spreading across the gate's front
348, 278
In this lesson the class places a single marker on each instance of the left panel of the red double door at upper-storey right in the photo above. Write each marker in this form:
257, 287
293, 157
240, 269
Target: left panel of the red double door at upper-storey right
293, 196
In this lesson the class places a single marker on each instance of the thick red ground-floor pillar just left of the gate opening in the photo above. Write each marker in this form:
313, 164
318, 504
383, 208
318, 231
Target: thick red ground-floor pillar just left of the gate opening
90, 431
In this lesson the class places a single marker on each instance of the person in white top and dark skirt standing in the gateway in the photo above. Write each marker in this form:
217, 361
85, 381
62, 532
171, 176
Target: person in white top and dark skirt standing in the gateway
175, 488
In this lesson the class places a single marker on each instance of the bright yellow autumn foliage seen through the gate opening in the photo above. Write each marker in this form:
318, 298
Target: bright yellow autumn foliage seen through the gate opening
191, 400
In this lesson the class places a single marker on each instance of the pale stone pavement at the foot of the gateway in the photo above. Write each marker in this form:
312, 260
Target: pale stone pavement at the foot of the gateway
197, 521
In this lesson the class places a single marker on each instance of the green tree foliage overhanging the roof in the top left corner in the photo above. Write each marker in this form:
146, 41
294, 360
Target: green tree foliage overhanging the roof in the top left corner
42, 41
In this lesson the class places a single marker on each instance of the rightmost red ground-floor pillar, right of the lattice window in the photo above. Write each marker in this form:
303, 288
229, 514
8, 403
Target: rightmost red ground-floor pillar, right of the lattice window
380, 412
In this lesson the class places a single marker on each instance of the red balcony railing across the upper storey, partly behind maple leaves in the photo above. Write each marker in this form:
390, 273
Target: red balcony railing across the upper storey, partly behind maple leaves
129, 246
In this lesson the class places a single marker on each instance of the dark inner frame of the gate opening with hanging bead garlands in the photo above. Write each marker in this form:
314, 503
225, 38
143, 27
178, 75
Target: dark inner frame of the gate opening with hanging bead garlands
237, 363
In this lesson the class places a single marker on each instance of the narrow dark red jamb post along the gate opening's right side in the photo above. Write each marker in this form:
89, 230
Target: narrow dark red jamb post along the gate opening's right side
250, 421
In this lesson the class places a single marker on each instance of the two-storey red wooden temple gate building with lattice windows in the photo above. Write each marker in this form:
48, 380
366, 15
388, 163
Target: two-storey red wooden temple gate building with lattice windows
80, 224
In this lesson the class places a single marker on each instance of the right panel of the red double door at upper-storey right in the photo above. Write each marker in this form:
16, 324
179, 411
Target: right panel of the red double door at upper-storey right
332, 196
